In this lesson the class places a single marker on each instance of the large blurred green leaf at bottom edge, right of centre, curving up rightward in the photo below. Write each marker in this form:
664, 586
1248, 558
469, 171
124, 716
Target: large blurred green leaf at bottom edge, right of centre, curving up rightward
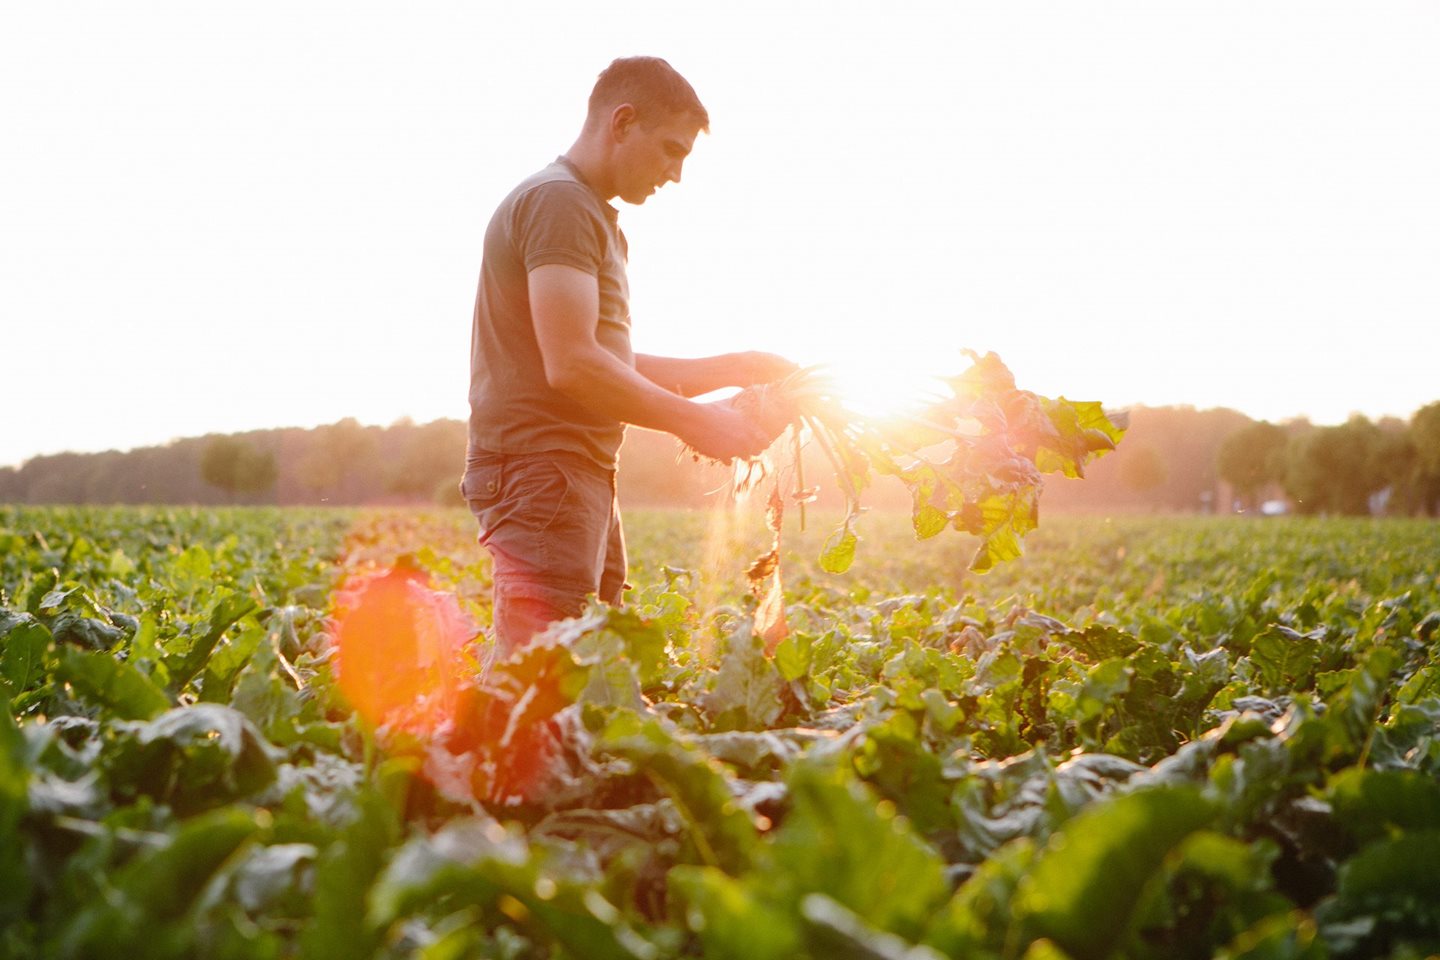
1092, 877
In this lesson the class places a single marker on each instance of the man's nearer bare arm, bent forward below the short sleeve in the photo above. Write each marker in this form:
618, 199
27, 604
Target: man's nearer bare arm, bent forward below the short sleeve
565, 304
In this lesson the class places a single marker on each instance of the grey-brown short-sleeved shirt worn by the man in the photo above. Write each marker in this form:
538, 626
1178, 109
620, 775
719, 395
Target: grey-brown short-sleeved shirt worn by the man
551, 218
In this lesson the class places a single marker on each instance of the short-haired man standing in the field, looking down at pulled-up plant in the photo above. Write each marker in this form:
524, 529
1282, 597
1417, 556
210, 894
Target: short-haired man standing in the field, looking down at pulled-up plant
554, 378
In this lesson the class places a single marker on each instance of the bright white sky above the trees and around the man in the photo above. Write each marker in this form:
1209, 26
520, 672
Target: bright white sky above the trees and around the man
227, 218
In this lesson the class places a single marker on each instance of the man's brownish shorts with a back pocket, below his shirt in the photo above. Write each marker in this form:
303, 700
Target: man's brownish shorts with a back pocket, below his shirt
552, 526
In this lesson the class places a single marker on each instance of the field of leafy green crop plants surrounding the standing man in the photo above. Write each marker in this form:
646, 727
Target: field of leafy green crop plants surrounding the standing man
1150, 738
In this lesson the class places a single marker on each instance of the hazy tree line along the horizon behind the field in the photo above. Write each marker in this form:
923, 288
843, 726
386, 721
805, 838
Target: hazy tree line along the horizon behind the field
1173, 460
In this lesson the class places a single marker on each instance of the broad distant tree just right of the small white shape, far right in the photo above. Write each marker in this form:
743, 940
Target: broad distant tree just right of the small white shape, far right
1331, 470
